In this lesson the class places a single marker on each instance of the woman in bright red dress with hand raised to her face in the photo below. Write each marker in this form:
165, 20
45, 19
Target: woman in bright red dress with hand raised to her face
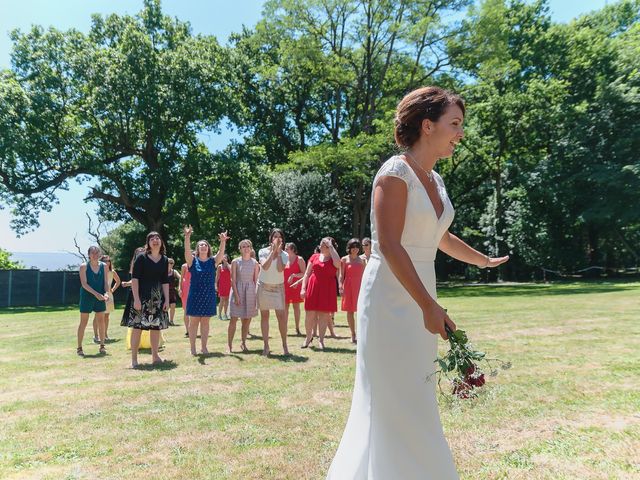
319, 290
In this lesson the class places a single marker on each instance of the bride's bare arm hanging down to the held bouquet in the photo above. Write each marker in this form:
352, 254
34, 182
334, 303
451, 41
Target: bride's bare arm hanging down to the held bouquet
389, 205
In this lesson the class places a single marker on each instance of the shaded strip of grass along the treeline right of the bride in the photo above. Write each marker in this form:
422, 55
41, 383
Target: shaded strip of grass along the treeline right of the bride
532, 289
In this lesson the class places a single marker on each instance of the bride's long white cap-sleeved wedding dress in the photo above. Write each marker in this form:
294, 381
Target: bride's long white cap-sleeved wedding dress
394, 430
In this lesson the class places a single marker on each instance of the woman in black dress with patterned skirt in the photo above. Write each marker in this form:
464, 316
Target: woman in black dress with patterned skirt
150, 291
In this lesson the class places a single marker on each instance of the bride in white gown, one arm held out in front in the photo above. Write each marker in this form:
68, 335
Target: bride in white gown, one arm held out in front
394, 429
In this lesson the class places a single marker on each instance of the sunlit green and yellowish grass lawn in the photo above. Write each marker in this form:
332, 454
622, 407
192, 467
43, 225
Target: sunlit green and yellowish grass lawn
568, 409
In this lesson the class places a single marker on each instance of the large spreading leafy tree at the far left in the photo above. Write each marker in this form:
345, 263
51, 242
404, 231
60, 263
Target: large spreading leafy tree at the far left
120, 106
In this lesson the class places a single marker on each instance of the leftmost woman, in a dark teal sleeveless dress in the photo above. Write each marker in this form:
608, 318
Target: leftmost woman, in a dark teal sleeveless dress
94, 292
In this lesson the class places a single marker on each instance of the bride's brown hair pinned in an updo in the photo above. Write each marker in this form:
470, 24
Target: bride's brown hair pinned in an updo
423, 103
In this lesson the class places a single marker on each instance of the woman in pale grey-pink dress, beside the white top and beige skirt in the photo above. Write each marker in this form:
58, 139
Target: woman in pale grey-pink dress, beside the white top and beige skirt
244, 278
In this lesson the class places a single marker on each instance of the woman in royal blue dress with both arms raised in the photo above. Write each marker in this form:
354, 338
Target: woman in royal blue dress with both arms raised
202, 290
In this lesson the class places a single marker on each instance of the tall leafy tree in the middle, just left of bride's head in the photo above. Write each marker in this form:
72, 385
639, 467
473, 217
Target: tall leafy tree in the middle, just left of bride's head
327, 73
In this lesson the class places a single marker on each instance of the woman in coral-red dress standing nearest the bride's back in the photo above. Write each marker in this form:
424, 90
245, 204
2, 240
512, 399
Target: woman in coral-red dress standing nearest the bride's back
351, 272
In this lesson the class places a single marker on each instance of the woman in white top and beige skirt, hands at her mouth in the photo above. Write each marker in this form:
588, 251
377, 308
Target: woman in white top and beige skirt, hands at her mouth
270, 290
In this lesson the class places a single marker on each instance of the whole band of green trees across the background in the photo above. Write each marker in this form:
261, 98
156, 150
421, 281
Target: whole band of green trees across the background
549, 171
